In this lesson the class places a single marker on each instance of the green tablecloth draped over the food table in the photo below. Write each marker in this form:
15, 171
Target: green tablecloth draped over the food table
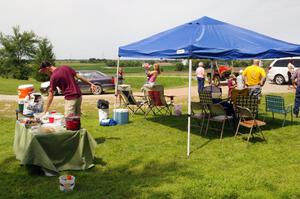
54, 152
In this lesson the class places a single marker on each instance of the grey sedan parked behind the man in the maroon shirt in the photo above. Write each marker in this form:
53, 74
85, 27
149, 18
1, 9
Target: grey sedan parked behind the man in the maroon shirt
101, 80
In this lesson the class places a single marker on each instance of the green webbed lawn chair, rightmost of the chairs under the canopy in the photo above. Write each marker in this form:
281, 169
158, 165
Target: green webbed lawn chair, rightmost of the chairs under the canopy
275, 104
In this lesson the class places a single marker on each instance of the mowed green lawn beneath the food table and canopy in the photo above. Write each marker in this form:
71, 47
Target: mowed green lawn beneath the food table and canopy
147, 159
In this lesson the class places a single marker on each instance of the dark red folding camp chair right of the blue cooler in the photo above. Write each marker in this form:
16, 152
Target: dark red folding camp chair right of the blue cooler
157, 100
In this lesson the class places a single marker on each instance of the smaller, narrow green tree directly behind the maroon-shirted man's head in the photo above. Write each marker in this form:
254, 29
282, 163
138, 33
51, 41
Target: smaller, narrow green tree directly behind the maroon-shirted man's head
44, 52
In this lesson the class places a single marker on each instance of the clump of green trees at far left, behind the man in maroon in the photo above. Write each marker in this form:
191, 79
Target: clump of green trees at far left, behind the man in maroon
21, 54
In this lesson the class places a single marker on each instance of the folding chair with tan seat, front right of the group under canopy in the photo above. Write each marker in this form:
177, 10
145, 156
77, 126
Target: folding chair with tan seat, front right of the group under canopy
247, 119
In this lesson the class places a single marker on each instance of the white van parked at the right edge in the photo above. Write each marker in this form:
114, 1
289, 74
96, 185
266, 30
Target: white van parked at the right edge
278, 69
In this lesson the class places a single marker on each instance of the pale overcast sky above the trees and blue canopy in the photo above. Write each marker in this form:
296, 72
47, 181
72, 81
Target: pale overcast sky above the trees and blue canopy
82, 29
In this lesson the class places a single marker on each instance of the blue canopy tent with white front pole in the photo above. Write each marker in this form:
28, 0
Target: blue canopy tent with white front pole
207, 38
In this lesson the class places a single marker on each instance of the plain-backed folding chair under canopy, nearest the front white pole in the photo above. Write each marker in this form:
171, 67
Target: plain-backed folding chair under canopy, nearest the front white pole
217, 114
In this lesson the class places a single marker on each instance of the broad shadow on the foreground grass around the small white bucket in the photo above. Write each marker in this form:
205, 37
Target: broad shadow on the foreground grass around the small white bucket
132, 179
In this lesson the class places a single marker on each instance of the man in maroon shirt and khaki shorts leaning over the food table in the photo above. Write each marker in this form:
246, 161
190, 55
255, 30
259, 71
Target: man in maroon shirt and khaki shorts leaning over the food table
63, 77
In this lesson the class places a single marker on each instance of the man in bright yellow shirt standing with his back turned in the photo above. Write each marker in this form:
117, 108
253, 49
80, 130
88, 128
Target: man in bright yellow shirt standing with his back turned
254, 78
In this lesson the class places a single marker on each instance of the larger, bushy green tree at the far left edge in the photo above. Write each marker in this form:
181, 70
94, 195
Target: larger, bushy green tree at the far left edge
16, 52
